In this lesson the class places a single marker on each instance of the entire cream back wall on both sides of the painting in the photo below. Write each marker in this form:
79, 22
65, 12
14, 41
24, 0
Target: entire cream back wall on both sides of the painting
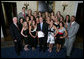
70, 9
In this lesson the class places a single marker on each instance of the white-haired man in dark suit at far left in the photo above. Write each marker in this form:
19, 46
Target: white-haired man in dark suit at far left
15, 33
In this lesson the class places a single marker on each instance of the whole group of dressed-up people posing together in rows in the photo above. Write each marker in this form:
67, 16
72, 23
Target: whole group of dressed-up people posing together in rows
57, 31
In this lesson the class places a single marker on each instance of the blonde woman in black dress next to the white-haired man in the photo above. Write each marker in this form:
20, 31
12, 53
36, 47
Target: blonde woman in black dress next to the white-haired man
25, 33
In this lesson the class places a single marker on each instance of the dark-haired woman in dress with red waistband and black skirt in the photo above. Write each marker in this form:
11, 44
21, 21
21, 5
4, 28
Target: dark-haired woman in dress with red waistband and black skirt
62, 33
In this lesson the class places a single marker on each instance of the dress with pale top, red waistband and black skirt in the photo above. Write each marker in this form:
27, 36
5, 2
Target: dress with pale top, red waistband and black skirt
58, 39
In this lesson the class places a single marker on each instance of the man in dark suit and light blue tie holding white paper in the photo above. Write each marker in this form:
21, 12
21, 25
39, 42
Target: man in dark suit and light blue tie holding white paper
42, 26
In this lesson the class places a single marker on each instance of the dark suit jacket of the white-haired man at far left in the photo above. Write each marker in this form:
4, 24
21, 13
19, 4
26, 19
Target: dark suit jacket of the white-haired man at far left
15, 32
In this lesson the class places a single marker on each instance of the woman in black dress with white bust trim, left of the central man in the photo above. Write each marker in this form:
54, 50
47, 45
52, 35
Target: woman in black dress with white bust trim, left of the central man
32, 32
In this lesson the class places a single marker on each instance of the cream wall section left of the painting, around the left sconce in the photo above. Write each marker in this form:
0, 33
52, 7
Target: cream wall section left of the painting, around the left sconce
32, 5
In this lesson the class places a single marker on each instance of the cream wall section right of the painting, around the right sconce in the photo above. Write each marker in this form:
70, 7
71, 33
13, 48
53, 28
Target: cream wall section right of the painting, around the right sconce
70, 9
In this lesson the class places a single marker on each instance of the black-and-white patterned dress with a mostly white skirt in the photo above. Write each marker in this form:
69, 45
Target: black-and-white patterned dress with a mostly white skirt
51, 38
